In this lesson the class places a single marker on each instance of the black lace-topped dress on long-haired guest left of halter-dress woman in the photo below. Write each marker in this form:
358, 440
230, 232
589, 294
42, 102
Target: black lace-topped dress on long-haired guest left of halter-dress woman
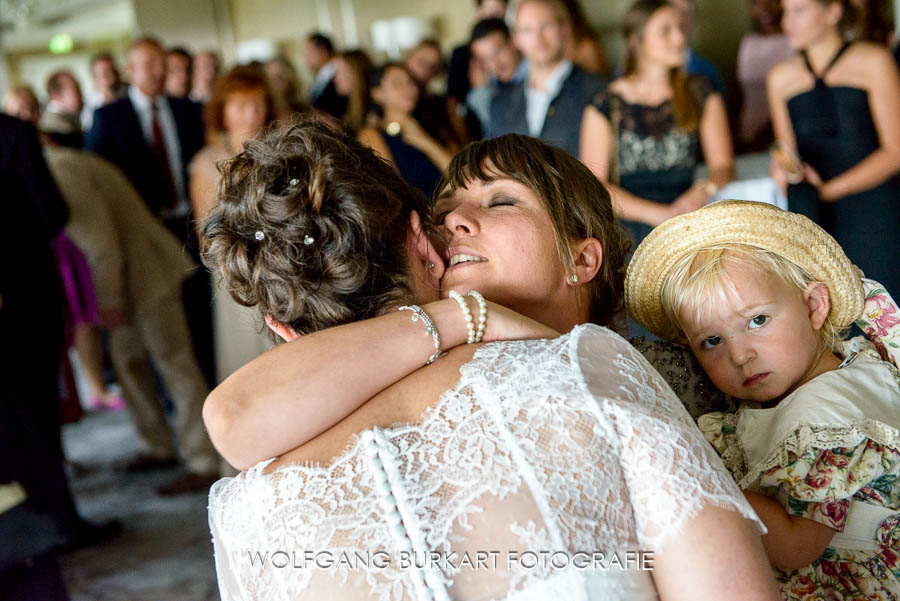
655, 158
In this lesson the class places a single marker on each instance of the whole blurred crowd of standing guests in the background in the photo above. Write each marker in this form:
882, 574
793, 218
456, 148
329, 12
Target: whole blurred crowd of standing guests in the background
136, 164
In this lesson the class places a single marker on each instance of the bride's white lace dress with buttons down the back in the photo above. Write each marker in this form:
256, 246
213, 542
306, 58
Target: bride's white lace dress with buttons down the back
554, 462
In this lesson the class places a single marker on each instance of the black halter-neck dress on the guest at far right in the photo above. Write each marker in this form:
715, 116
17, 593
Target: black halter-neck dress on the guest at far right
835, 132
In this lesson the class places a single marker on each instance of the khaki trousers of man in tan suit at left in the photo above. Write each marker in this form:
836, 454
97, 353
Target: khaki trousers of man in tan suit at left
160, 334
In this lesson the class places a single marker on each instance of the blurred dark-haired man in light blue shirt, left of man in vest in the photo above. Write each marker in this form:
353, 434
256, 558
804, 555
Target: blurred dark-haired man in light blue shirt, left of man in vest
492, 47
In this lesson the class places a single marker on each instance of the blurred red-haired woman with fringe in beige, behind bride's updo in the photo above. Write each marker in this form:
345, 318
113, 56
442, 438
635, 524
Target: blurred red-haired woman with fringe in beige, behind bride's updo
240, 106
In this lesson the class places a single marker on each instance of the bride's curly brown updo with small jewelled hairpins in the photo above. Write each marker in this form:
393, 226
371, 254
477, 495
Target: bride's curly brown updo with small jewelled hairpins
310, 227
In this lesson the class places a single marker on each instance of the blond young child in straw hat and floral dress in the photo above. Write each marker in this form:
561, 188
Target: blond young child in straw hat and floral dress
760, 296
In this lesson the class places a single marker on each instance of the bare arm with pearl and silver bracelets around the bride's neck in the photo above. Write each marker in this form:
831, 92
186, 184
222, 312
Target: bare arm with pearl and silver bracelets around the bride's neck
314, 381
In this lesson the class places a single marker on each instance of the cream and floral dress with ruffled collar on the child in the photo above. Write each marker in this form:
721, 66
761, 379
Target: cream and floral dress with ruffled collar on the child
829, 452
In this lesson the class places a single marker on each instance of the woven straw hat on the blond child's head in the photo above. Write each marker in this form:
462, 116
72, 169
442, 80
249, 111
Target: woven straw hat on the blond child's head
740, 222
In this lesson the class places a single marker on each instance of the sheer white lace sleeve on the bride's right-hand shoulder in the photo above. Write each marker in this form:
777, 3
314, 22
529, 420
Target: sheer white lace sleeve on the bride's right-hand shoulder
670, 470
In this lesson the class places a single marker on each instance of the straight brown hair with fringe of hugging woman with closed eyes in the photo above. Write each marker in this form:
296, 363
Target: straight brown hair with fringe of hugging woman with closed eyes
578, 203
